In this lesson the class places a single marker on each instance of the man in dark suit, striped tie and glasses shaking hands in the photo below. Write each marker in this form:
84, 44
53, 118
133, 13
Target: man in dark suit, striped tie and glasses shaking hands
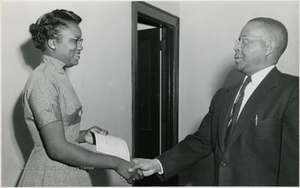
251, 128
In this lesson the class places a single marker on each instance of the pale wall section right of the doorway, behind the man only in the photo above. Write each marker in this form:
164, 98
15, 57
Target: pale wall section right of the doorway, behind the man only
207, 36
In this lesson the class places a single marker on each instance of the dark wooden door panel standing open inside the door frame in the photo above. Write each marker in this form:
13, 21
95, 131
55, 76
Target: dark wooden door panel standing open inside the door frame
147, 130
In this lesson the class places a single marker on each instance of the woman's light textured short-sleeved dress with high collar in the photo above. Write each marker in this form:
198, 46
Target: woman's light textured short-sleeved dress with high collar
48, 97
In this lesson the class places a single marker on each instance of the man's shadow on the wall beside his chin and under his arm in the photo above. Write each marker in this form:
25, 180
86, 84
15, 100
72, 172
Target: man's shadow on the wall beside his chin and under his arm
202, 173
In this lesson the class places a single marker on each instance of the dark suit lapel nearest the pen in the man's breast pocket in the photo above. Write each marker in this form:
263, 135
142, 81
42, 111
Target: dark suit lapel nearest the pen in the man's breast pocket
257, 98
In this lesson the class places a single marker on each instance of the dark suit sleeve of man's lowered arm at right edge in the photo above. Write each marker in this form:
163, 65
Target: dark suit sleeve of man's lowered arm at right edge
289, 161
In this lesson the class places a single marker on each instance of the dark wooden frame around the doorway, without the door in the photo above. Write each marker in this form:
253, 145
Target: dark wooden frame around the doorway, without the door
144, 12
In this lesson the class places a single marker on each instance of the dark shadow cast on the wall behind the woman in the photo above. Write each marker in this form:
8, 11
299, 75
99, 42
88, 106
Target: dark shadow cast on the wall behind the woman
32, 57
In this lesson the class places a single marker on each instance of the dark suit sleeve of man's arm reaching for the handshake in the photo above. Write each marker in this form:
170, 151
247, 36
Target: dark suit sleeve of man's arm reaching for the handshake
192, 149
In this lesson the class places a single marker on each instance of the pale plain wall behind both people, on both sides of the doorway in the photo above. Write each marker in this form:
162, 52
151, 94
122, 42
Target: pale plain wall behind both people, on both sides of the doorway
103, 77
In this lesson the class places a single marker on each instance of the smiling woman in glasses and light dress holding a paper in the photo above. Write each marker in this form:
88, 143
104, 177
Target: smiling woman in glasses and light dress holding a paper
53, 111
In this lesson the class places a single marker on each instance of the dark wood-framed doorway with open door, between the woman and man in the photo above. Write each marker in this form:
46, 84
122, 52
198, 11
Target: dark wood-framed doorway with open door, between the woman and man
155, 47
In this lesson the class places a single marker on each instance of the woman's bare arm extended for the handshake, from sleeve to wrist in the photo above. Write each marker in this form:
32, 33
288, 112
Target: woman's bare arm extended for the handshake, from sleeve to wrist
59, 149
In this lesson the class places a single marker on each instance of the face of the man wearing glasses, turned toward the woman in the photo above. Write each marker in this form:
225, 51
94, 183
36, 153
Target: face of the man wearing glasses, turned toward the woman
250, 49
